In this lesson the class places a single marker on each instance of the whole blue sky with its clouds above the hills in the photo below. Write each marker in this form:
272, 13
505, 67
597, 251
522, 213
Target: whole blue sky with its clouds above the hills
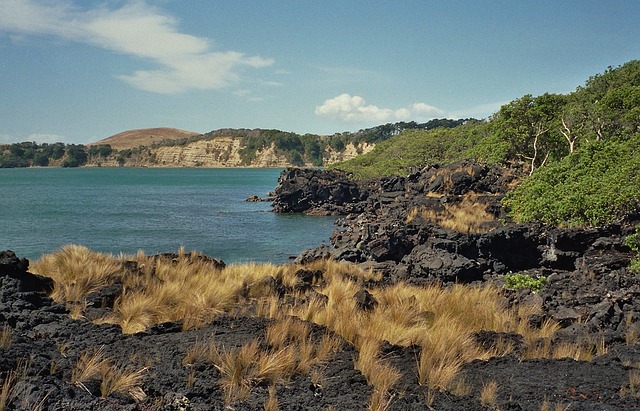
79, 71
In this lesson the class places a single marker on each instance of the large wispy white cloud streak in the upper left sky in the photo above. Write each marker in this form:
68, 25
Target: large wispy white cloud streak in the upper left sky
185, 62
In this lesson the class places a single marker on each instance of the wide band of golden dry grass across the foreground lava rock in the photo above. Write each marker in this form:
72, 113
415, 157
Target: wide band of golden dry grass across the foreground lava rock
189, 288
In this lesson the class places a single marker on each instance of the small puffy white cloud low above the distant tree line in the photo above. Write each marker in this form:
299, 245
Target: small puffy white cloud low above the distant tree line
346, 107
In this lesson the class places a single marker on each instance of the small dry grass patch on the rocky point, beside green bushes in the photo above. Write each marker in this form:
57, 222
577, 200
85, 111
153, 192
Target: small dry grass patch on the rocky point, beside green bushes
468, 215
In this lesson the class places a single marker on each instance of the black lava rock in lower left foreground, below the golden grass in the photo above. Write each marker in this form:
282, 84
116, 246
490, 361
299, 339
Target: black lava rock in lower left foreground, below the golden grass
45, 345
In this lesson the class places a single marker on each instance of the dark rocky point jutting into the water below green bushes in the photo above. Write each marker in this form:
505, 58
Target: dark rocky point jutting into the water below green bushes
446, 224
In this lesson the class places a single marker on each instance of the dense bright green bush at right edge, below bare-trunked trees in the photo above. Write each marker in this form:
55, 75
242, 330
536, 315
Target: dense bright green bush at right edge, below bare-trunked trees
597, 184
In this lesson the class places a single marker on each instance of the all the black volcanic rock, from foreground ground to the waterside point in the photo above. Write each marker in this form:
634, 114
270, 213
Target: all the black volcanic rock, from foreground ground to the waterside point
589, 292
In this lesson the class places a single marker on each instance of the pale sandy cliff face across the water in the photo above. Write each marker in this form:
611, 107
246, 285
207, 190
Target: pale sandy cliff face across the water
219, 152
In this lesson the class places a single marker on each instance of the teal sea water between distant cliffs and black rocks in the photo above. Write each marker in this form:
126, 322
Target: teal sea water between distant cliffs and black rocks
155, 210
